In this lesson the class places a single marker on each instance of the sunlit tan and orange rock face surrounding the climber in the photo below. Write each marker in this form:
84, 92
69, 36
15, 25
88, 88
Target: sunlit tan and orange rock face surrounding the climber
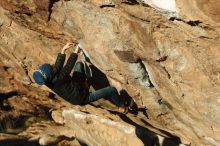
168, 65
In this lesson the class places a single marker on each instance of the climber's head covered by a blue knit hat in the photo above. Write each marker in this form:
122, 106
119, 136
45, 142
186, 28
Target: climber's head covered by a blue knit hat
43, 74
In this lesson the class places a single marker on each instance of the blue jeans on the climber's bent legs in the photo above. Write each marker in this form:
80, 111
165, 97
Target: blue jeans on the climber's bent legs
108, 92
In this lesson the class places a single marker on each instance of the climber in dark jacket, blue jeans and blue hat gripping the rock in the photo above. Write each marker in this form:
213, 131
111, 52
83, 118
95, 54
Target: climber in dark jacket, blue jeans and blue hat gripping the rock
75, 88
